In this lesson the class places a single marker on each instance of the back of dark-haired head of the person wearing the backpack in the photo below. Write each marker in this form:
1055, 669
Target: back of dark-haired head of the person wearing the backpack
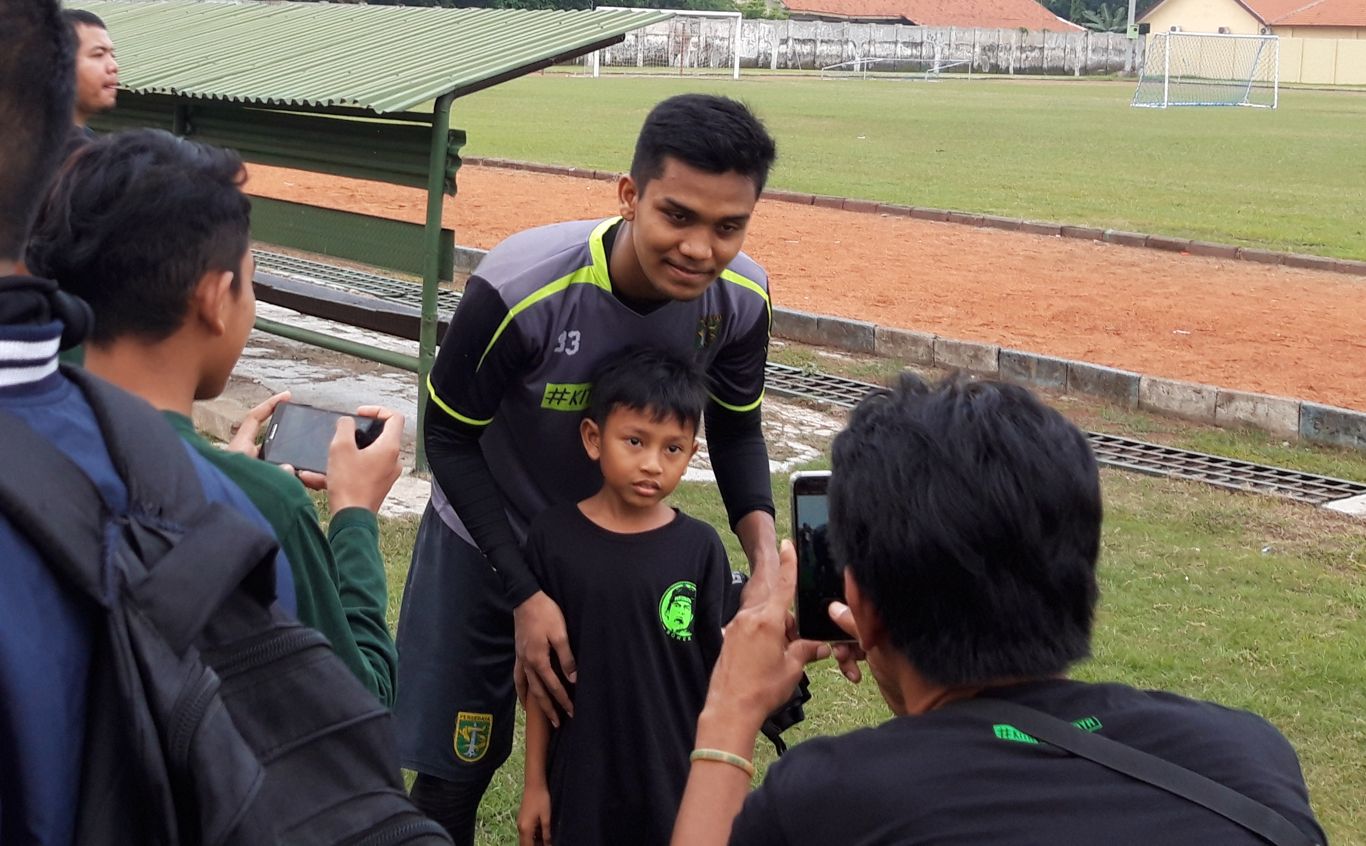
38, 85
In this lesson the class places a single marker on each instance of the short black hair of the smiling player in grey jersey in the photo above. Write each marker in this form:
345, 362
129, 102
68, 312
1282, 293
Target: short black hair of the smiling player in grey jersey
712, 135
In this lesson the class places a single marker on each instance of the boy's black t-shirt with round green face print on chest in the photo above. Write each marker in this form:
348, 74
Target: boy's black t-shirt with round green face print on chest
644, 617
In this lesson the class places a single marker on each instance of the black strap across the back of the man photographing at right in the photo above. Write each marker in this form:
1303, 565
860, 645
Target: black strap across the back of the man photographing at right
1141, 766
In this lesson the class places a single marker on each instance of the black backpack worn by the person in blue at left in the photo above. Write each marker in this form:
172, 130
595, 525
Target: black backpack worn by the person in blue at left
214, 718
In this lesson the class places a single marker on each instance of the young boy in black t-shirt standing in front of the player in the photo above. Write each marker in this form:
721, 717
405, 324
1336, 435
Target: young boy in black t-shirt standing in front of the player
641, 587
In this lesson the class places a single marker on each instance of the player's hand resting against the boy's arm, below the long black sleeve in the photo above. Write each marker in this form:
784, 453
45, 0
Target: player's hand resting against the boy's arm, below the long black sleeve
540, 629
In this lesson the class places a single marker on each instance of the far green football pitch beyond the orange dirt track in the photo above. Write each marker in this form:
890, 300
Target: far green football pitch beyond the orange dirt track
1070, 152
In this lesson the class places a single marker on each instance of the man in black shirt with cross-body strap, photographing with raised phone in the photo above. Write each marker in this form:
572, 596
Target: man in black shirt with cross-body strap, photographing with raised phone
968, 520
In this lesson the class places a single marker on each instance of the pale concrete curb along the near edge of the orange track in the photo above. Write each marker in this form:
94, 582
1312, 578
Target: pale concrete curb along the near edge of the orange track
1293, 419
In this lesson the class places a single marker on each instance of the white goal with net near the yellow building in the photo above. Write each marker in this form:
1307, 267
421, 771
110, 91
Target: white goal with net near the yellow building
1210, 69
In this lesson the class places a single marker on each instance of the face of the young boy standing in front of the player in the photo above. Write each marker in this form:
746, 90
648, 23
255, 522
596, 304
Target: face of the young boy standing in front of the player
643, 460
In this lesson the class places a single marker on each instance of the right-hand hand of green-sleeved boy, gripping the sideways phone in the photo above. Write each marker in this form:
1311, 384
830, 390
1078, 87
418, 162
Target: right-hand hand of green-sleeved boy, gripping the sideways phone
364, 478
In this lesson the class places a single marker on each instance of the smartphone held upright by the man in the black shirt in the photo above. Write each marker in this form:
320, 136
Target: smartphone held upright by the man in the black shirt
819, 582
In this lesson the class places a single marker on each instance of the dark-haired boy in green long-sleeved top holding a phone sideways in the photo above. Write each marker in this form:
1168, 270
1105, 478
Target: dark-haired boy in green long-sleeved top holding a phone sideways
154, 232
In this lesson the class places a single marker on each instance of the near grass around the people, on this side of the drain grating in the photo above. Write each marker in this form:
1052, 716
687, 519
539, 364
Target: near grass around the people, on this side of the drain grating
1249, 602
